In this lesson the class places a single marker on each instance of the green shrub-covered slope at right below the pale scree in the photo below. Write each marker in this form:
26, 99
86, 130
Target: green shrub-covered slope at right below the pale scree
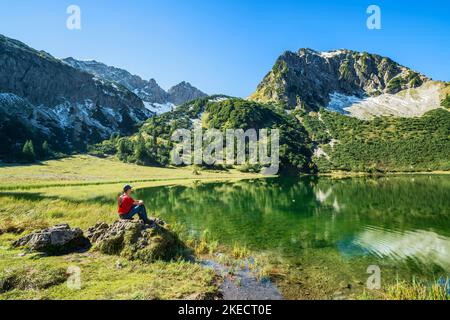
382, 144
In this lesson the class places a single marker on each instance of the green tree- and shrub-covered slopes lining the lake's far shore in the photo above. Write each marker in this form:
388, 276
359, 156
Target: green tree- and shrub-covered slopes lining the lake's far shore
309, 142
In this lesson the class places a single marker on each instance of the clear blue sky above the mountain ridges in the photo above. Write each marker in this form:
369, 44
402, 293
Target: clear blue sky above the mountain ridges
227, 46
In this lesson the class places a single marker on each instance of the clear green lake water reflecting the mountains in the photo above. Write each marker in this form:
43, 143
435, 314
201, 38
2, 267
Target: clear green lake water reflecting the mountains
401, 223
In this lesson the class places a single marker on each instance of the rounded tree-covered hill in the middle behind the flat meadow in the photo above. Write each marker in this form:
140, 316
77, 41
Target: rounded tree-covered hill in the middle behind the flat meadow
152, 145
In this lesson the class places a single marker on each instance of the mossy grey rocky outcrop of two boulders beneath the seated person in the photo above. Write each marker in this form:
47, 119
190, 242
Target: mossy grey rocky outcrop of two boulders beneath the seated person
128, 238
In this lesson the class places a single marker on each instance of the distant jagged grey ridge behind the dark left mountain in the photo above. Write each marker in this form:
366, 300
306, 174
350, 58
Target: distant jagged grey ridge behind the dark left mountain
154, 97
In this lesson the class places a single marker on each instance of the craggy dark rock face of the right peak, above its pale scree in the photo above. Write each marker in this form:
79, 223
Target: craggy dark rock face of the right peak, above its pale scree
311, 79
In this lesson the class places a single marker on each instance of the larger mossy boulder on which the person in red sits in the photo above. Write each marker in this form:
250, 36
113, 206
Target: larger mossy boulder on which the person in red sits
135, 240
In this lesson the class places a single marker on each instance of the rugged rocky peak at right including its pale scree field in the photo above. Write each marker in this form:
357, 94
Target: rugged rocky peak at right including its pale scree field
340, 79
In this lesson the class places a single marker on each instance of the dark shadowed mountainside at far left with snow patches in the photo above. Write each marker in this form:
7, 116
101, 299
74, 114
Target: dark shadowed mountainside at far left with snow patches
53, 101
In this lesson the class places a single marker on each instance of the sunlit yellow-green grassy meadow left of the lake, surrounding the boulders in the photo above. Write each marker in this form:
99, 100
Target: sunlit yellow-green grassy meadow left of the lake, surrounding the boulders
81, 191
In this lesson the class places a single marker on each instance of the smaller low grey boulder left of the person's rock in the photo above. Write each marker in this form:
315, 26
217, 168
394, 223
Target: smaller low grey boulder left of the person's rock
57, 239
